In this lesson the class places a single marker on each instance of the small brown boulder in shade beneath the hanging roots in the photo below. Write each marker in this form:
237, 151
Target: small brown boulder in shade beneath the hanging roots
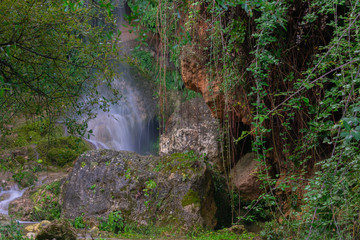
244, 177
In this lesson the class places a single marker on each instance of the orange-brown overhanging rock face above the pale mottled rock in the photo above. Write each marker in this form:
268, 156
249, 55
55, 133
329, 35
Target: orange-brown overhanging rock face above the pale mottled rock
194, 72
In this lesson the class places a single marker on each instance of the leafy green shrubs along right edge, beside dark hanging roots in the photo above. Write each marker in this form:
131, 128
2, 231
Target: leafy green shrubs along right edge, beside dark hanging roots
331, 198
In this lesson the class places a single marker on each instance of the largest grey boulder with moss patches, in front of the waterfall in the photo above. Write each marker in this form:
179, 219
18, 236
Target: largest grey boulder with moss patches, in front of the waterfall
175, 190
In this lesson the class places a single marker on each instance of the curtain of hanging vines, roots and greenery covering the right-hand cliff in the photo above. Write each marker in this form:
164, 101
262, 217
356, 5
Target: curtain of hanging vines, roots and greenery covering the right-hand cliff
293, 68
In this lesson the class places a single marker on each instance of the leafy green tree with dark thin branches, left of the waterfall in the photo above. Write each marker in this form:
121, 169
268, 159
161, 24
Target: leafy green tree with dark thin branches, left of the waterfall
51, 54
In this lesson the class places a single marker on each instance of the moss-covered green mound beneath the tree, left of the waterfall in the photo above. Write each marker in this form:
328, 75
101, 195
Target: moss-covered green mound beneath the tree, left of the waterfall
32, 145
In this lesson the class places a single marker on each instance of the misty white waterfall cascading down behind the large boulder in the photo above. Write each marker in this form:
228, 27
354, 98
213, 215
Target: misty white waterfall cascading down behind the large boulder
128, 125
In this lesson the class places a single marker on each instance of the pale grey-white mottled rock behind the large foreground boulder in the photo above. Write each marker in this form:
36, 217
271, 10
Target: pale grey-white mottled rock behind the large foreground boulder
192, 128
